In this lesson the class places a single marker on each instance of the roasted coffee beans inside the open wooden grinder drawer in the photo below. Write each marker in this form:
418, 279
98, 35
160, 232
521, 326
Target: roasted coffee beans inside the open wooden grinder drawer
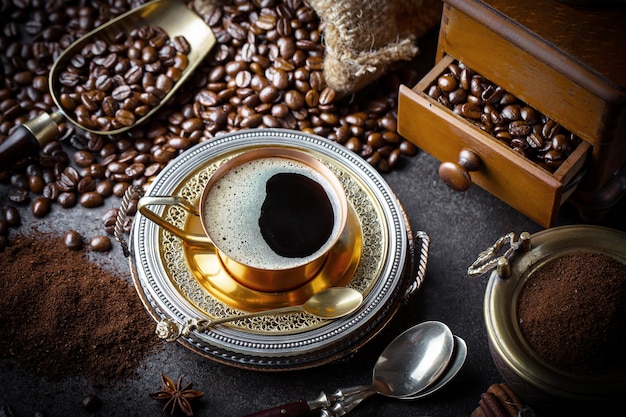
499, 113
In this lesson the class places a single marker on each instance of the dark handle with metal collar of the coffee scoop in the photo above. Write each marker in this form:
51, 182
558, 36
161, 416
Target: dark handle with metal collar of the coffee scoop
29, 138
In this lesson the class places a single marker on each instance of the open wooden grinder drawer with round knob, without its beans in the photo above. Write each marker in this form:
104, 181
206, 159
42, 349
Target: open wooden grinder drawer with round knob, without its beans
471, 155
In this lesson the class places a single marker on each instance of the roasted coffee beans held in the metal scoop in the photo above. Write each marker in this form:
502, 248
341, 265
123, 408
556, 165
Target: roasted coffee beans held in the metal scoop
109, 86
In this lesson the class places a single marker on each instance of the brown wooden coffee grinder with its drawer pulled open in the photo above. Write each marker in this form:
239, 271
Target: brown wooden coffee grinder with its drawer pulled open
565, 61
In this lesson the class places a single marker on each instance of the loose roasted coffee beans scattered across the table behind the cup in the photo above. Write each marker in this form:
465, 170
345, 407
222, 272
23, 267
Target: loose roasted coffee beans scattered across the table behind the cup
264, 71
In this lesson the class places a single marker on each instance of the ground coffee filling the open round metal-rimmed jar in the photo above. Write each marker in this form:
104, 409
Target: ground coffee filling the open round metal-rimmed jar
572, 312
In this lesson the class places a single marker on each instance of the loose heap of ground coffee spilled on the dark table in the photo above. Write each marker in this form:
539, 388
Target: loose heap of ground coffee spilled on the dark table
62, 315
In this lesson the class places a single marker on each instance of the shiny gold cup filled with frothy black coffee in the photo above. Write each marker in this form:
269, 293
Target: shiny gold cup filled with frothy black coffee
271, 215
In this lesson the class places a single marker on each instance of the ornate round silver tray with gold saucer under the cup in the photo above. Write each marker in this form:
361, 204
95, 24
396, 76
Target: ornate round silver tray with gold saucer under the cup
178, 283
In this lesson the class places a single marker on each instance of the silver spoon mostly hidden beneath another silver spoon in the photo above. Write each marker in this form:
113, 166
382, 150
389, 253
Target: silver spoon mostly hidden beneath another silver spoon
343, 407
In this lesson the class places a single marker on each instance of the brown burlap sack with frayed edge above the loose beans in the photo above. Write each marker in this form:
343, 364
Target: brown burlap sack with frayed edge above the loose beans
364, 38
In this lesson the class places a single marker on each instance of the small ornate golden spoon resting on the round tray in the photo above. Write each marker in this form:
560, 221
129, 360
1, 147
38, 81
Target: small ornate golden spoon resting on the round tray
331, 303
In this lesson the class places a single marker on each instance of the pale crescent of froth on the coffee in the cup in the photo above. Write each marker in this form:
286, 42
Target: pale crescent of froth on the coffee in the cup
233, 208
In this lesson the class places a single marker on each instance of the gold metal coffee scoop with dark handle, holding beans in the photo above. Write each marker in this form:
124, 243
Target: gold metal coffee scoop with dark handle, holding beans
173, 16
